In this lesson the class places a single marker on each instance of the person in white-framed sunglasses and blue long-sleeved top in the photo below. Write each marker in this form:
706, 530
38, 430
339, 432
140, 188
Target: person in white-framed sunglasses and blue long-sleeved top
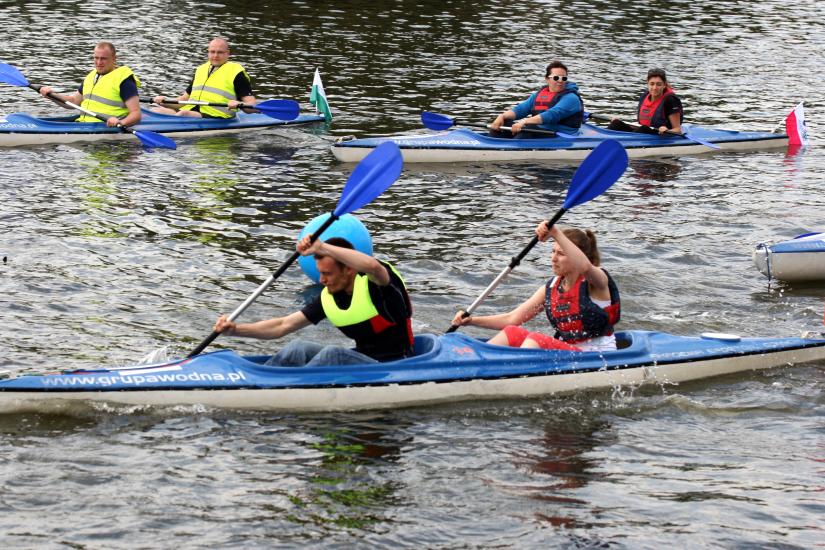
555, 107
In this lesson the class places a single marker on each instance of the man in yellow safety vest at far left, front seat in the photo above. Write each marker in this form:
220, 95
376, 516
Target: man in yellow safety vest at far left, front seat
108, 90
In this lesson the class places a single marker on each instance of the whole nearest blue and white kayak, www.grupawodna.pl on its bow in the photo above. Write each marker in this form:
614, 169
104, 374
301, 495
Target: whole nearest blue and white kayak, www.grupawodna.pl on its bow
449, 368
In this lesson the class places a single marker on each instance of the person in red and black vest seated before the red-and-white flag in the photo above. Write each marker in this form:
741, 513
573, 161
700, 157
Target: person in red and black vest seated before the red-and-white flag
659, 108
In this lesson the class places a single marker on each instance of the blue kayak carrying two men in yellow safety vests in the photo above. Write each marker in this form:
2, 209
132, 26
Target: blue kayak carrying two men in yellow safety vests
23, 129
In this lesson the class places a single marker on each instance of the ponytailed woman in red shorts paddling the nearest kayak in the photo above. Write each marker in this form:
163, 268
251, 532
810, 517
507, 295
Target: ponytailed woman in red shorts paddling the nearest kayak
581, 301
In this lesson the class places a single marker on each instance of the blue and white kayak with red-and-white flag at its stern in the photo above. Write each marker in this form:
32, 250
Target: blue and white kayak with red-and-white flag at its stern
462, 145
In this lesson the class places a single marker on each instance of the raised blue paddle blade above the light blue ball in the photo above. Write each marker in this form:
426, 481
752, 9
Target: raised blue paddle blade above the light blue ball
373, 175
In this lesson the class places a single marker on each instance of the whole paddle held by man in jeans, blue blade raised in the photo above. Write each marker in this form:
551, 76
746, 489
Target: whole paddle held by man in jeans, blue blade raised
373, 175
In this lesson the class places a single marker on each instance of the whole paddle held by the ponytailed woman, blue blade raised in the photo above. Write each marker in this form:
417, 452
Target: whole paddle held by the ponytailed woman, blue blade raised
602, 167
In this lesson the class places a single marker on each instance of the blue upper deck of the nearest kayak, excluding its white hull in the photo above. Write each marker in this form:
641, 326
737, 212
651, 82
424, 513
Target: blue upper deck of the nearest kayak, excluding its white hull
445, 359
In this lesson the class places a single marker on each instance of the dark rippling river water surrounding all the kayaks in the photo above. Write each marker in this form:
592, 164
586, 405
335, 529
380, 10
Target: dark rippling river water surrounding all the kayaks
113, 252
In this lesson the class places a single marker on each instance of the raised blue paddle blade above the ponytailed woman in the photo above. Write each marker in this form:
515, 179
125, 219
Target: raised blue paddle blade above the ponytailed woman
602, 167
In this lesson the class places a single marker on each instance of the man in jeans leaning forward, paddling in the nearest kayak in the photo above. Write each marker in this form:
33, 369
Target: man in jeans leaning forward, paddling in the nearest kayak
364, 298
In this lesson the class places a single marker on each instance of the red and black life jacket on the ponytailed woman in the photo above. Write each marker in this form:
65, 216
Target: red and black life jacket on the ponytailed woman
575, 316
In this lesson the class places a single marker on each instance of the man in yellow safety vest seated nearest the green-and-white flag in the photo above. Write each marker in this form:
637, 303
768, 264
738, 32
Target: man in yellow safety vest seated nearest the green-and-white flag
216, 81
